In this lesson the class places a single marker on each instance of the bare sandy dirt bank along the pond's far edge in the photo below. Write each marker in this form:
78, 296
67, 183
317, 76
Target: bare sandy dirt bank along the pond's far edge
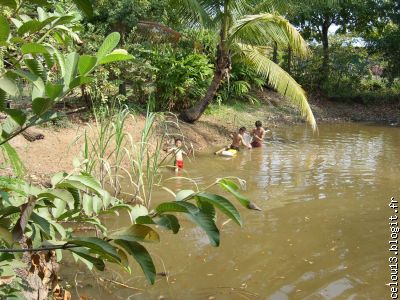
60, 145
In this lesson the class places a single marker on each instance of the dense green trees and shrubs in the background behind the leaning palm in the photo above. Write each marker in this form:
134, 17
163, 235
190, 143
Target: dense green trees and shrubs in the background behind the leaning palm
155, 32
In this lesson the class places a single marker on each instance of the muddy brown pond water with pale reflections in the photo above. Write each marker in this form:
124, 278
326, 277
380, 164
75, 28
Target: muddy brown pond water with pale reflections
322, 234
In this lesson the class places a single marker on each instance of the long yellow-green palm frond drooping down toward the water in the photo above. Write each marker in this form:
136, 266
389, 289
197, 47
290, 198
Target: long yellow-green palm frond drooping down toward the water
279, 79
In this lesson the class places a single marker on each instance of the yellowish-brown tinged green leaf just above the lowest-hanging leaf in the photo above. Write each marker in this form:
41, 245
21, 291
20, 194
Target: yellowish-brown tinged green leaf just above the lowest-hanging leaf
136, 232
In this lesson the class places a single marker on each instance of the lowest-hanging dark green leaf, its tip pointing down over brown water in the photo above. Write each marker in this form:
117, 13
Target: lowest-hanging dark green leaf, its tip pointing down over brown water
141, 256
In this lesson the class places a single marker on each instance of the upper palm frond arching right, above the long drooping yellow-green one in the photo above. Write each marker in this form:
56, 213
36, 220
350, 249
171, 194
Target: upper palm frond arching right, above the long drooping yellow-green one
262, 29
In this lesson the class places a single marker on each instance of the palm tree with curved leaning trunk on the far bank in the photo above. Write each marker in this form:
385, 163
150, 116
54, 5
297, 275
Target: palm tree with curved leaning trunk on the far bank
249, 38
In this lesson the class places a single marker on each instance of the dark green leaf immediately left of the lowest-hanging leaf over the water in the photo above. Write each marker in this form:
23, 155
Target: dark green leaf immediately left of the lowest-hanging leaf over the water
98, 246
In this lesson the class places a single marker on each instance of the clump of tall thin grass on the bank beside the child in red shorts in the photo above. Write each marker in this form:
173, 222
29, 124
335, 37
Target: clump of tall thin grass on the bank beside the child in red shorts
116, 158
